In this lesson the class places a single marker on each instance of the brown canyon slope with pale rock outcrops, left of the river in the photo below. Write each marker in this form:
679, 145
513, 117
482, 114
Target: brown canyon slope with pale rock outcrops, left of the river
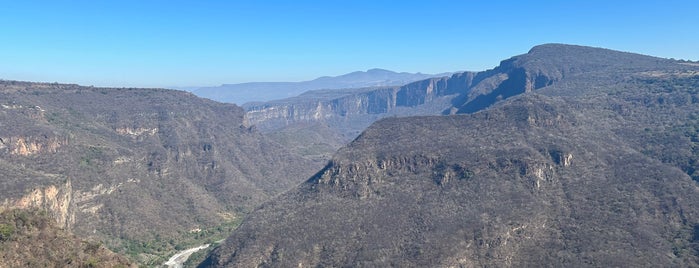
135, 166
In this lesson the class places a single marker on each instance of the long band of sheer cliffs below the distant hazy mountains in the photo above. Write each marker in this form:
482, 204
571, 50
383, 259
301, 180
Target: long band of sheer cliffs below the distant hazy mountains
342, 105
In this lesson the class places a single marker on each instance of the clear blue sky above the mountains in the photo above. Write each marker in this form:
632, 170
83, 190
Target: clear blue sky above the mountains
150, 43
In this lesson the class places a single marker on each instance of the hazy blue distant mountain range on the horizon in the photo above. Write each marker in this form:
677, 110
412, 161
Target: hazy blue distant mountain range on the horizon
266, 91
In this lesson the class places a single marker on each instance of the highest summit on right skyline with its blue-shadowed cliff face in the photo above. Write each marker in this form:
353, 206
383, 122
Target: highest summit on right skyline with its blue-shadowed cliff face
550, 64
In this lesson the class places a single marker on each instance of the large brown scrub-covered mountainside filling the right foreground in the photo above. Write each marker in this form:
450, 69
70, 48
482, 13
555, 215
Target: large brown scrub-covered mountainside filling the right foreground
593, 169
